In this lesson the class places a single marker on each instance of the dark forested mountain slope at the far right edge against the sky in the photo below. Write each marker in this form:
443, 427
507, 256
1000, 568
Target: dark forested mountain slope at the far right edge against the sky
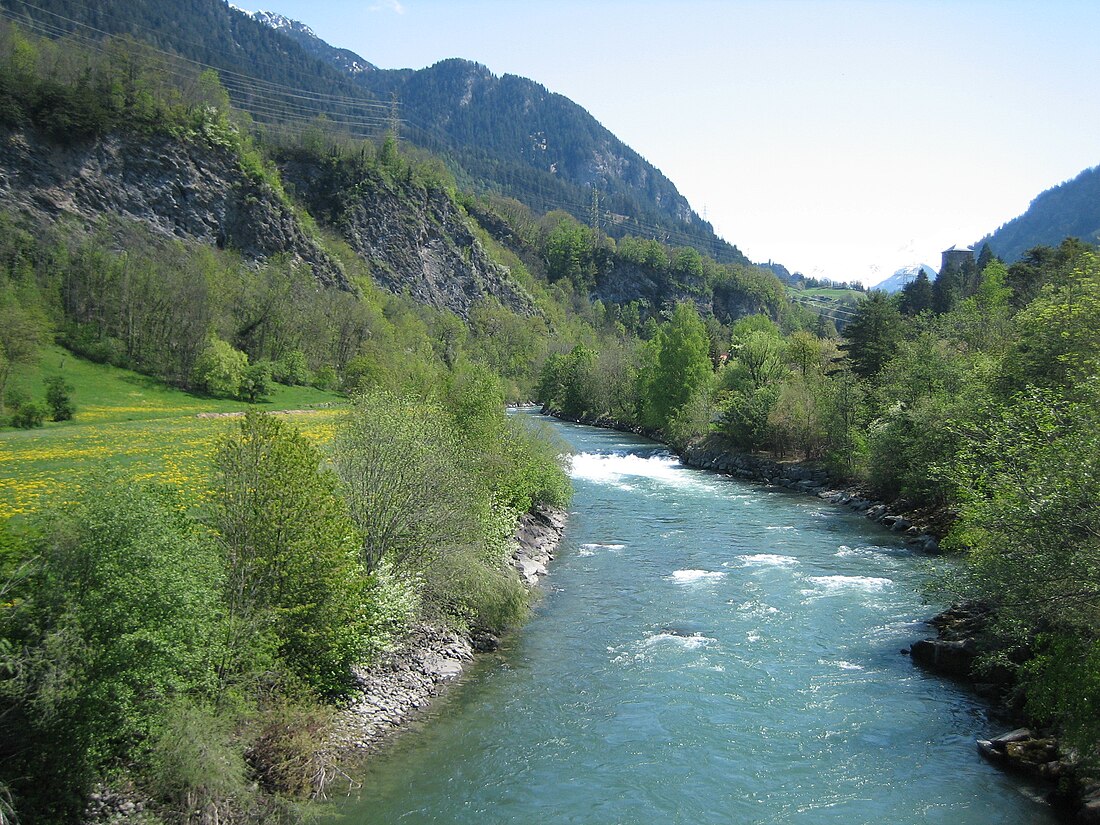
1070, 210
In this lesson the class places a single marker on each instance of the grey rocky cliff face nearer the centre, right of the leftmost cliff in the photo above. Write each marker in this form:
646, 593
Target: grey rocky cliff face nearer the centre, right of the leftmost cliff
415, 240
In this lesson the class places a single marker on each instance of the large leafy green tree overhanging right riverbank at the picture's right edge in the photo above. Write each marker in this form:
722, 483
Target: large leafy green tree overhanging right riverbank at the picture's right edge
1029, 483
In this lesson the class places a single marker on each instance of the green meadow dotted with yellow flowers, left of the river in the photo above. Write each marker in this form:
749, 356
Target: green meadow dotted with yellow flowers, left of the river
131, 424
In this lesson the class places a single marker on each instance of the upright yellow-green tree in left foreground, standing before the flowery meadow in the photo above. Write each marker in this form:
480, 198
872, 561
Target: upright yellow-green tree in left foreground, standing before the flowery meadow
292, 553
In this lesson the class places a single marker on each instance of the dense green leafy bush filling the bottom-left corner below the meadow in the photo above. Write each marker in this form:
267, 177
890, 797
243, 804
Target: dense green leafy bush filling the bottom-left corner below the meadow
116, 623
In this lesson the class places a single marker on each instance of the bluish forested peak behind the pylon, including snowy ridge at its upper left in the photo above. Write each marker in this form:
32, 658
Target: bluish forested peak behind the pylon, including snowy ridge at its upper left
513, 136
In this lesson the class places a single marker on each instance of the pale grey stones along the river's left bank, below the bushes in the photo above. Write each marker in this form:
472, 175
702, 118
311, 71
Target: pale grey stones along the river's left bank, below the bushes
400, 687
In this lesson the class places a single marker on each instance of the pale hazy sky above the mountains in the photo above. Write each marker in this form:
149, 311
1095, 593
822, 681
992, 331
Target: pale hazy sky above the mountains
840, 139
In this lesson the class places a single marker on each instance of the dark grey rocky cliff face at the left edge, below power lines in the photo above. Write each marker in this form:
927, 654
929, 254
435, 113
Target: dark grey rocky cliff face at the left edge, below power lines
190, 190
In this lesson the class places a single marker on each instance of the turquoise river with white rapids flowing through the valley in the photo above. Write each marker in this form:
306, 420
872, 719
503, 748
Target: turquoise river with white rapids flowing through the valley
709, 651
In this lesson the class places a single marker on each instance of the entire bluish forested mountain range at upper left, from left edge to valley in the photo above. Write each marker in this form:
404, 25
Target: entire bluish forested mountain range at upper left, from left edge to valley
508, 136
